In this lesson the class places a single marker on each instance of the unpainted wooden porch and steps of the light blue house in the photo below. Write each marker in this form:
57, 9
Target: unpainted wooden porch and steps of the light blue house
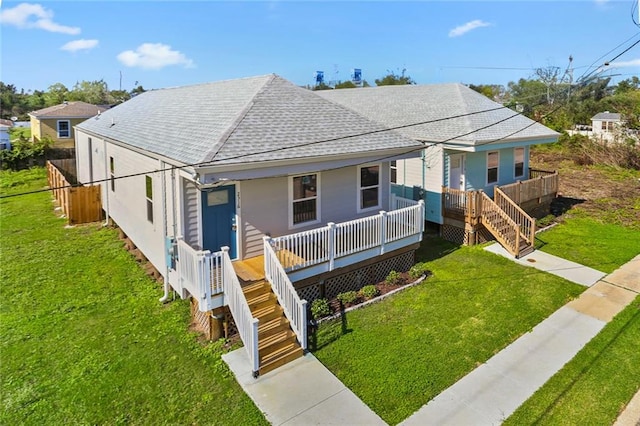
472, 217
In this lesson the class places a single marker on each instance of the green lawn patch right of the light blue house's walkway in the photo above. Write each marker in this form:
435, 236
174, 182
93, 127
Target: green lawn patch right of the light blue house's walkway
590, 242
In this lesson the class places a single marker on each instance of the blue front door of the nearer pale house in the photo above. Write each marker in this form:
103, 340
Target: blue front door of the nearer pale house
219, 219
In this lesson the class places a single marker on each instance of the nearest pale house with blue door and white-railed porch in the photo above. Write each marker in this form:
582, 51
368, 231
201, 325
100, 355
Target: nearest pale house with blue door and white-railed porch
253, 196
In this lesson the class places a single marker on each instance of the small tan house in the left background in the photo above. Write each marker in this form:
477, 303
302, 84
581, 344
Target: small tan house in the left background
57, 121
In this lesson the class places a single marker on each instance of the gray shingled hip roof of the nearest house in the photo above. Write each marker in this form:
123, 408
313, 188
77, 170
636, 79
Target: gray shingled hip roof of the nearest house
239, 121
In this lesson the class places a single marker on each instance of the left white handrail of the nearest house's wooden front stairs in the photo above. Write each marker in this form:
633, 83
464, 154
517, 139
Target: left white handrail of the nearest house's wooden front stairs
245, 322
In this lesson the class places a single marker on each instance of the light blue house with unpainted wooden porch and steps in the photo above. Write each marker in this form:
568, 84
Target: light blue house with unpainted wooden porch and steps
475, 149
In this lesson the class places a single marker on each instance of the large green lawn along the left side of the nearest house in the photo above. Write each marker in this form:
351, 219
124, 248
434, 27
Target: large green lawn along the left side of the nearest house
83, 339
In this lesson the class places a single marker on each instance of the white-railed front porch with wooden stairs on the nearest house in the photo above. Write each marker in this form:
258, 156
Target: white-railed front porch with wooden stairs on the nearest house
263, 294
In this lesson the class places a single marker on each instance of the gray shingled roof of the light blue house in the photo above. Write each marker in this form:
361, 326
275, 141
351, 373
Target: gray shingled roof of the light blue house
395, 106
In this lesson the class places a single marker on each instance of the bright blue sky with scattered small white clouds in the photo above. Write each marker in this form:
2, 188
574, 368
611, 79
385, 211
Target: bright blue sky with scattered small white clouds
175, 43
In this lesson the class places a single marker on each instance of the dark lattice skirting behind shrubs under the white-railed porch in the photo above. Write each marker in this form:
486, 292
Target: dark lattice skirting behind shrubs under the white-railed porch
355, 280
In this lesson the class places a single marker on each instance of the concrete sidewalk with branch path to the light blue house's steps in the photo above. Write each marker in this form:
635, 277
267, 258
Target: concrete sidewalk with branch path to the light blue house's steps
493, 391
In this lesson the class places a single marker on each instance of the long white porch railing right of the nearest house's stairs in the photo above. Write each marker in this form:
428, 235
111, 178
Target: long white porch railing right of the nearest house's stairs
335, 241
